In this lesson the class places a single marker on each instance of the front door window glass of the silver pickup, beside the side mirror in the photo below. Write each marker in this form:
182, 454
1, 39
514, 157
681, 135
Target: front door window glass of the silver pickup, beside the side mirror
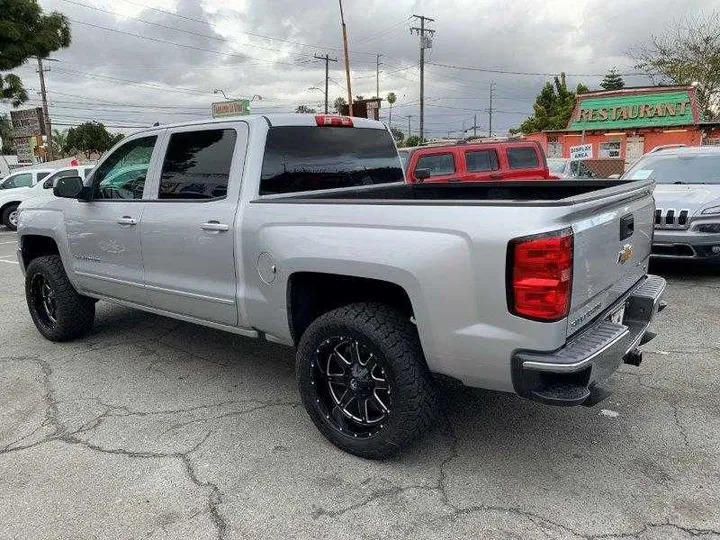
122, 174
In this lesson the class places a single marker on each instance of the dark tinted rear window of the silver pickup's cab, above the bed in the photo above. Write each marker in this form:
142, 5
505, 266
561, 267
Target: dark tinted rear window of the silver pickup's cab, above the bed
303, 158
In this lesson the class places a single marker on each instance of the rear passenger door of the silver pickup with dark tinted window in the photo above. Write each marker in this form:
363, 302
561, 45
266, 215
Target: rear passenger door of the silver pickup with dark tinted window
188, 229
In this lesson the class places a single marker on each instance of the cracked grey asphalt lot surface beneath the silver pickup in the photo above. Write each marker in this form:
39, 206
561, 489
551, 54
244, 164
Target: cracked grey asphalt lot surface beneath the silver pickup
150, 428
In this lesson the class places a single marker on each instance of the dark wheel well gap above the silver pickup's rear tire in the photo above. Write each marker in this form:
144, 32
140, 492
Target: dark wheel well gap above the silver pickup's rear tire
310, 294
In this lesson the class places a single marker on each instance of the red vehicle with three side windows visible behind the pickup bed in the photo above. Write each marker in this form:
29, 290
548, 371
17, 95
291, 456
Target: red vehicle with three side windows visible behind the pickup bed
475, 162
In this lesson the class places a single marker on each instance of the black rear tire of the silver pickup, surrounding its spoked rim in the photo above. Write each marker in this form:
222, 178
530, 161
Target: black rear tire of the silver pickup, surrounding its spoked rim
392, 336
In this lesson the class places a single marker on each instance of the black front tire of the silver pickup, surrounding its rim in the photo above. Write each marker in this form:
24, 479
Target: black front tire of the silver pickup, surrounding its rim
75, 313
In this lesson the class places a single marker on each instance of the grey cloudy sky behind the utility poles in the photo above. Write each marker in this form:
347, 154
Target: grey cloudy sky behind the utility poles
136, 62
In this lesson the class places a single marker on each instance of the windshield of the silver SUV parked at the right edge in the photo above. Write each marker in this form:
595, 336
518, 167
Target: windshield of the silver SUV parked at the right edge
677, 169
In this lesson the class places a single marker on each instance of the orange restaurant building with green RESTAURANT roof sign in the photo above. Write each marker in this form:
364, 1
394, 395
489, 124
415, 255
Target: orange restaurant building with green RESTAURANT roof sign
625, 124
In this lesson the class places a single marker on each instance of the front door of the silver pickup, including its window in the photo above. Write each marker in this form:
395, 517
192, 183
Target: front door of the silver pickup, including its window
104, 233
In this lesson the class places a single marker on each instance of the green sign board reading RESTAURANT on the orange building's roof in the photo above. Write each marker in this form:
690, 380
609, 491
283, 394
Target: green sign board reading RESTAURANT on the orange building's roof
639, 110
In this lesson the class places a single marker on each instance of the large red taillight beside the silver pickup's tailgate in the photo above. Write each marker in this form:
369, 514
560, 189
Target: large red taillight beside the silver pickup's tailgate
540, 276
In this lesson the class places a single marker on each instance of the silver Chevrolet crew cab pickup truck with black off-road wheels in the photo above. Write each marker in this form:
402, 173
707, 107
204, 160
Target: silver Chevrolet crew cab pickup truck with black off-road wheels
300, 229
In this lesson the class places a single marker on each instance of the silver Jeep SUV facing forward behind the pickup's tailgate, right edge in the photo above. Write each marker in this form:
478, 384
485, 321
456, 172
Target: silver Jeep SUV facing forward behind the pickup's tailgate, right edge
687, 194
